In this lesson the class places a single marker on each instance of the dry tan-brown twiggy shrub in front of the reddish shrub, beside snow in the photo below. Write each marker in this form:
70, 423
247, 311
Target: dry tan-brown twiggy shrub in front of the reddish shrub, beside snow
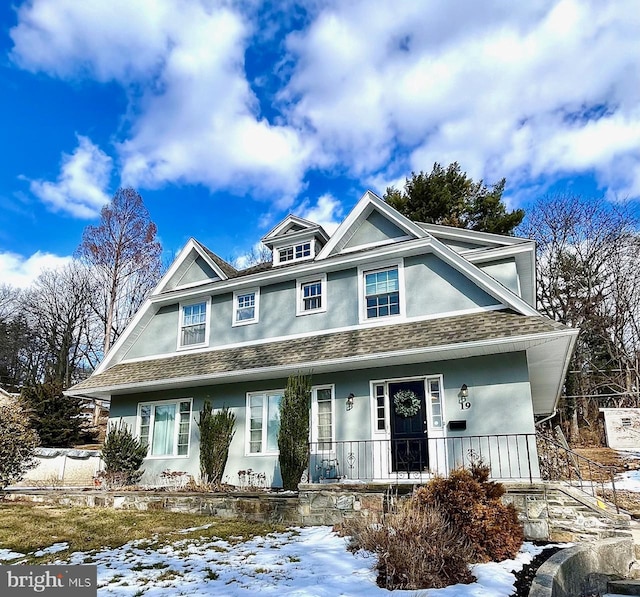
417, 547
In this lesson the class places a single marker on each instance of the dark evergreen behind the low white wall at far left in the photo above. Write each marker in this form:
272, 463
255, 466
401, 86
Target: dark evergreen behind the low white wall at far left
55, 417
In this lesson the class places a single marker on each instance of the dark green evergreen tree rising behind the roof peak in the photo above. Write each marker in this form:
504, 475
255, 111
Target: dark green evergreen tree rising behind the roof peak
450, 197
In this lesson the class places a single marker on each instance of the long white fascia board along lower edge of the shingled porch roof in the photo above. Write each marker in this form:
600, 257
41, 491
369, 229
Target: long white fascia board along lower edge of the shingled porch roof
382, 359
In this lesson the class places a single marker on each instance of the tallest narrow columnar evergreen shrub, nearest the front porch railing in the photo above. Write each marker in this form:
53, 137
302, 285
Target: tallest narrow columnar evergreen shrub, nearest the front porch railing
293, 436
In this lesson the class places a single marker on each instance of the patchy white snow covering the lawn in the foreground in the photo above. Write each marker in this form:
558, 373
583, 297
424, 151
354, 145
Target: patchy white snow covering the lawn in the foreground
309, 562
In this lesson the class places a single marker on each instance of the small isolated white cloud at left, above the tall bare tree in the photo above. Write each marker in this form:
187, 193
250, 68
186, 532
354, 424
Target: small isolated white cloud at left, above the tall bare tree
80, 188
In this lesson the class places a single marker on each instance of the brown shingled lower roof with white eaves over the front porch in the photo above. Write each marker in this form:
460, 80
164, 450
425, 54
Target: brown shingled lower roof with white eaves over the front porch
487, 332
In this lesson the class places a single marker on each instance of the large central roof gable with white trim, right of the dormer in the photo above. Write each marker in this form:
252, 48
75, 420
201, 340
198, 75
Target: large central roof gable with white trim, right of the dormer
371, 223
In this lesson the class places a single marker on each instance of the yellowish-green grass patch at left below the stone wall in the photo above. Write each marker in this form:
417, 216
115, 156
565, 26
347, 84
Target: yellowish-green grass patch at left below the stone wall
26, 528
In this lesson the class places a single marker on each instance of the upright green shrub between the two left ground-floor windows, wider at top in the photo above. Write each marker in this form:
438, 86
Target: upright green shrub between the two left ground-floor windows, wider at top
216, 432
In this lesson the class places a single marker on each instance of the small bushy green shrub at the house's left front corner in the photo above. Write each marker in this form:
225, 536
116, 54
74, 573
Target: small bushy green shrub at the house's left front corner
122, 454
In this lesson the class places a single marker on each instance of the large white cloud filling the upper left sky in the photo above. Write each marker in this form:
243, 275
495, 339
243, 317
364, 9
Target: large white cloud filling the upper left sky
193, 115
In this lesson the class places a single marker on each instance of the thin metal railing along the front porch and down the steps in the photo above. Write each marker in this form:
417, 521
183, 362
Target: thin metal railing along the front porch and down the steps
510, 457
